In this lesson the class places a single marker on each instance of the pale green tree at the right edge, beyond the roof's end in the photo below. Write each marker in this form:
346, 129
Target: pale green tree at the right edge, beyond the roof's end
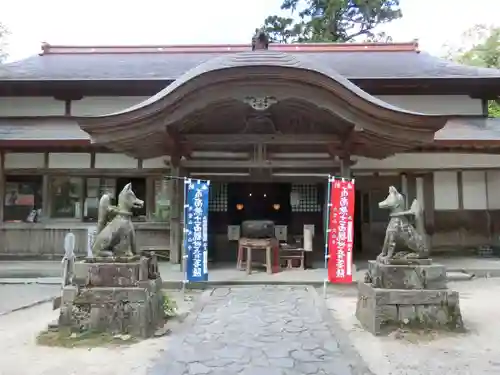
479, 46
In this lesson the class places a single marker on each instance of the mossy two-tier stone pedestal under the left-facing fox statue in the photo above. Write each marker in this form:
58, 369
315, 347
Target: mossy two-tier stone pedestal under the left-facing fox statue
407, 294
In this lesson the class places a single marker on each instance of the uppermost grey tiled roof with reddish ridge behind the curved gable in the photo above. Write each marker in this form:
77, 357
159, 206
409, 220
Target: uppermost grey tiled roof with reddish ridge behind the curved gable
353, 61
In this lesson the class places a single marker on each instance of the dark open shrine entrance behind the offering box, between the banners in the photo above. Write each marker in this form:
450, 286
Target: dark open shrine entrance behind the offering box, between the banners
234, 202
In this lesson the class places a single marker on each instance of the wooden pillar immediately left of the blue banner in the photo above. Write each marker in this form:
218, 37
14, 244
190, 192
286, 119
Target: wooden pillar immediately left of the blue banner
176, 202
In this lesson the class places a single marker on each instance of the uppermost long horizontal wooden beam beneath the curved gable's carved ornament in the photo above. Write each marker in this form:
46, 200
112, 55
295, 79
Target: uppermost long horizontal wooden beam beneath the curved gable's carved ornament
268, 139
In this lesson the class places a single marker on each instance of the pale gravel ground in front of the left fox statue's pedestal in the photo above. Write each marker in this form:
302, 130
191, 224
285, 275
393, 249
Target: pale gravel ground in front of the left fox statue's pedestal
21, 356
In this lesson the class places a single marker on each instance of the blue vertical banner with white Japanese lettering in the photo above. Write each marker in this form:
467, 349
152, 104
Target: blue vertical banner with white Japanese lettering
196, 229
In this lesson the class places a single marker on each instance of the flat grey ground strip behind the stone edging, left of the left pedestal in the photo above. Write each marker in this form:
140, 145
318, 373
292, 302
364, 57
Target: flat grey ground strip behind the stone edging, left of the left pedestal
13, 297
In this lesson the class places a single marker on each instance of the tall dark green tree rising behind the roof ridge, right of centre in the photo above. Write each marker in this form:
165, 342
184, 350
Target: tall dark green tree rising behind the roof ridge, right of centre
331, 20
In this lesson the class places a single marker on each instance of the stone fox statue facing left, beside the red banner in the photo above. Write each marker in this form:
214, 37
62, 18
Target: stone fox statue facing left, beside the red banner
400, 232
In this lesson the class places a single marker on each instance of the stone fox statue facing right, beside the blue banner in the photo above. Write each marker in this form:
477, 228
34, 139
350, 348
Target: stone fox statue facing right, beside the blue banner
115, 230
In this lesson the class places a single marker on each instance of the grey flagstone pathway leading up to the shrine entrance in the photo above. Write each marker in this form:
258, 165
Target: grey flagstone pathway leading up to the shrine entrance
266, 330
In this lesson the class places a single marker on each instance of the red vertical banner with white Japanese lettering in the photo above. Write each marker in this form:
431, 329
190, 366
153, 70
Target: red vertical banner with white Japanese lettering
340, 230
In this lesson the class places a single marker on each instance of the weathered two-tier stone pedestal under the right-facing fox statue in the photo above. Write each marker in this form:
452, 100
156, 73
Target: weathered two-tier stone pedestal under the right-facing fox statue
117, 296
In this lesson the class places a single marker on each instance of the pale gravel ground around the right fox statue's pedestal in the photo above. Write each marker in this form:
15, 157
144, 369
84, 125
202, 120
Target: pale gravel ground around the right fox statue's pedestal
475, 352
